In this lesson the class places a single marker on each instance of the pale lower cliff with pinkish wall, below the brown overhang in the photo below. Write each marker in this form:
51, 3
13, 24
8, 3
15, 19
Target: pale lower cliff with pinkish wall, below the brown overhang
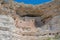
8, 30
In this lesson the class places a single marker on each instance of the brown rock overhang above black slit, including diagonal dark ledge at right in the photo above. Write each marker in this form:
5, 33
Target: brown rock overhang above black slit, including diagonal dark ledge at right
45, 11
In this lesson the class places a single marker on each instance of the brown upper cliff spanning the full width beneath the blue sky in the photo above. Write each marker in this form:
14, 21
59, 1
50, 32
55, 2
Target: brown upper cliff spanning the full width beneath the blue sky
45, 11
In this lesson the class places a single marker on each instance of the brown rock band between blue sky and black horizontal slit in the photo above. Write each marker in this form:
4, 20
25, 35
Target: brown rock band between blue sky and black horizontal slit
39, 10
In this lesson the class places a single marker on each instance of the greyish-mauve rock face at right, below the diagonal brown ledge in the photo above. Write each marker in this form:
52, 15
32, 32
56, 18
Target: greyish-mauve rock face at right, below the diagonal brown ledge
53, 25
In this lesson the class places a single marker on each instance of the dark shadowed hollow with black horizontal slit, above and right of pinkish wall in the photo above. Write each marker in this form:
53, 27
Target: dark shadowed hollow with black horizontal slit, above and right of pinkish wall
38, 22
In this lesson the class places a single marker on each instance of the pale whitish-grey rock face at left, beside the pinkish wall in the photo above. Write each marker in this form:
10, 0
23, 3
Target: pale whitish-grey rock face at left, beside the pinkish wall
7, 27
